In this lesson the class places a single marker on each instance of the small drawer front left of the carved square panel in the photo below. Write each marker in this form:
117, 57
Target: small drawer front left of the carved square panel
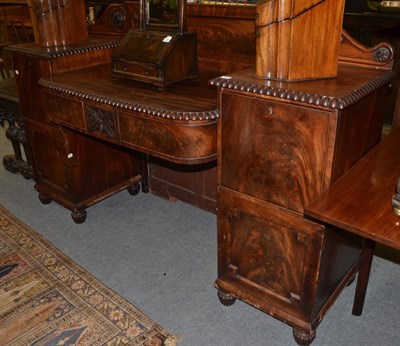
64, 111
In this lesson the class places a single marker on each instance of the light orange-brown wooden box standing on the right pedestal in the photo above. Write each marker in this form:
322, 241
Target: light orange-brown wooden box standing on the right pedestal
298, 39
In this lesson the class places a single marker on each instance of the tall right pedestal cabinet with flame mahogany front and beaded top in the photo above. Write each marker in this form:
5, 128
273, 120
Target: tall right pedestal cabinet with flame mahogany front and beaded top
280, 145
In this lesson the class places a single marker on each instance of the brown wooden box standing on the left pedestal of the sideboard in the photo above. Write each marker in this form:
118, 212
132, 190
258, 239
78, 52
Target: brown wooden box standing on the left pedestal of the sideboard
60, 22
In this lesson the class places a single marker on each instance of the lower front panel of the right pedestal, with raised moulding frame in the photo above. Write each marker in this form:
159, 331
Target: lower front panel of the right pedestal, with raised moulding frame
267, 252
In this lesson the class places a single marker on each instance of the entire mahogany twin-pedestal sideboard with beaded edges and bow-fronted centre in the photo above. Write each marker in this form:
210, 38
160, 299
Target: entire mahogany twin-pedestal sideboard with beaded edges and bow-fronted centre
280, 145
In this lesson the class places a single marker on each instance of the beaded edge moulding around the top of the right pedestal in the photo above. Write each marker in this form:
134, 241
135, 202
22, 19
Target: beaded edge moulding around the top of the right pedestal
303, 97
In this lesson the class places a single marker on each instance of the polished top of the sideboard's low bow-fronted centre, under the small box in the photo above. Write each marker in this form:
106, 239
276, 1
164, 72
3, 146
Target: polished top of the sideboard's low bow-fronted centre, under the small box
192, 100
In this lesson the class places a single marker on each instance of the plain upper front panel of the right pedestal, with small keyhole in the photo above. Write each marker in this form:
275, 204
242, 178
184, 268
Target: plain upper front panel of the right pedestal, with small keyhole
274, 151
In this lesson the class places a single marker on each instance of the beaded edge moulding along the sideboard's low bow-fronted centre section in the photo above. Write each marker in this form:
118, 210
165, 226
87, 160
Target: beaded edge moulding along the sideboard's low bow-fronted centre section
123, 104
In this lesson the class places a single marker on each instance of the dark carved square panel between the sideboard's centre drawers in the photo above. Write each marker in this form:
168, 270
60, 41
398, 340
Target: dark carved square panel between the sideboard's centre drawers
100, 121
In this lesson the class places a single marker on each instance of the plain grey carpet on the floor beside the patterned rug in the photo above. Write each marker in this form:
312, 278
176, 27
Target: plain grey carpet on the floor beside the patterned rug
161, 256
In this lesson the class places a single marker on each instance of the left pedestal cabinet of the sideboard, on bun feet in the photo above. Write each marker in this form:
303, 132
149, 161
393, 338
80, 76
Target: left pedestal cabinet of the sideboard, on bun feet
70, 168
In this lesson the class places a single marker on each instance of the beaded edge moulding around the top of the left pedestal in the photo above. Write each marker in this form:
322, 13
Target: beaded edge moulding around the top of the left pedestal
48, 54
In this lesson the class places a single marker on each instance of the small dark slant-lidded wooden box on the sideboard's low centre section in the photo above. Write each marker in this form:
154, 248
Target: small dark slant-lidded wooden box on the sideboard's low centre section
158, 58
